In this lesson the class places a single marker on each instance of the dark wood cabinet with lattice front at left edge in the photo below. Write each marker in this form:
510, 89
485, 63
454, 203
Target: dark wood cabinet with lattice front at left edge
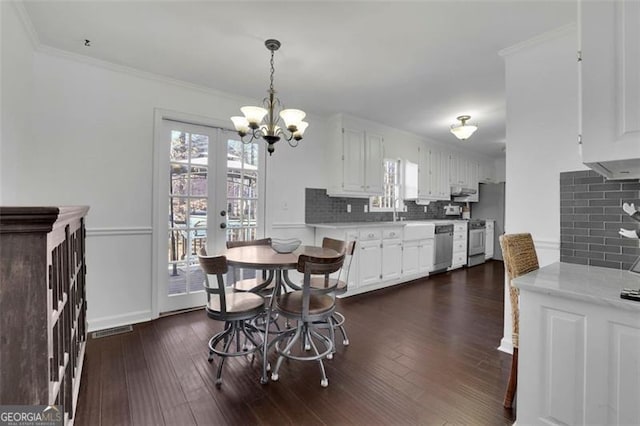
43, 305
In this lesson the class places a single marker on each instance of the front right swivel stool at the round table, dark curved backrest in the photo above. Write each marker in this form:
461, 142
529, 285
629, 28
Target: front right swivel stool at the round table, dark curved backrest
312, 308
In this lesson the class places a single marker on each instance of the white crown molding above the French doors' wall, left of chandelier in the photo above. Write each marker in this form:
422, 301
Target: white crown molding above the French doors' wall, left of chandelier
135, 72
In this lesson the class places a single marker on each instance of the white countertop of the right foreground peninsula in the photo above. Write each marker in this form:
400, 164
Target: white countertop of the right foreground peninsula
585, 283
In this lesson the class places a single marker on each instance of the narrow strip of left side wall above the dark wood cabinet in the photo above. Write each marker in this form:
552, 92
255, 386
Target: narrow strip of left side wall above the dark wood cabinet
16, 87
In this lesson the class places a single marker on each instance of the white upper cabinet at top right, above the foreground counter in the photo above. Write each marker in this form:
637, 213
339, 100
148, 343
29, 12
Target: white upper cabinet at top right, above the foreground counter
610, 87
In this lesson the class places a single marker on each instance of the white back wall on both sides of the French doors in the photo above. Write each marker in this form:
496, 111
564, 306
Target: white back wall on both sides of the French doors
92, 144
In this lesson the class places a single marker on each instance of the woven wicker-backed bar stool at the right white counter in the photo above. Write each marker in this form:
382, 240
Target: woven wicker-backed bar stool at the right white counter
519, 254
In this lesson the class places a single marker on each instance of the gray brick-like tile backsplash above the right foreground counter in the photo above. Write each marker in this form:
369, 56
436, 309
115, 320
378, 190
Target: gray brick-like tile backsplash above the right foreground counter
590, 217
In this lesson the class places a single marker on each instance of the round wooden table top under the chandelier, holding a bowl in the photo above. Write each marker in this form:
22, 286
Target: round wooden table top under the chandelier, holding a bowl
264, 257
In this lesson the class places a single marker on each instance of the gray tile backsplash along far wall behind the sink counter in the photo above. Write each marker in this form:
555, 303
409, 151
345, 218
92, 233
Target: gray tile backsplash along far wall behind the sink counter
320, 208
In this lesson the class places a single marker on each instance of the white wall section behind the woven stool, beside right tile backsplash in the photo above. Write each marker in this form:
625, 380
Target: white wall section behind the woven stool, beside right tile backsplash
542, 128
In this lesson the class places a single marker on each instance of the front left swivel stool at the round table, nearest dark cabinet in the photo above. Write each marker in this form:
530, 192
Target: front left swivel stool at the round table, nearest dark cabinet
235, 309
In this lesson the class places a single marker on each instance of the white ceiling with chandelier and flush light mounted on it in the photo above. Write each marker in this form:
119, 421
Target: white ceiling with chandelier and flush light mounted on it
414, 65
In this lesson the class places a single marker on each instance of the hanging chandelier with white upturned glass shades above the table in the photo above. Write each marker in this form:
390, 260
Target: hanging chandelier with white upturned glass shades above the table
262, 122
